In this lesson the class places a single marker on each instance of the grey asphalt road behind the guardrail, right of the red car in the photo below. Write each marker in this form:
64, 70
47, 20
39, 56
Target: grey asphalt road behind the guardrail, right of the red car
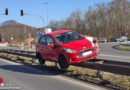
109, 52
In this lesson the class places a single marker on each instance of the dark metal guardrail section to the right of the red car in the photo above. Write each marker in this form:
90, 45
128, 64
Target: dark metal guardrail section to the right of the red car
112, 68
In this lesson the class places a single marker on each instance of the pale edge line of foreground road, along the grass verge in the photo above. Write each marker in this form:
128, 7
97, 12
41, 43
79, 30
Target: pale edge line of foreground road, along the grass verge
94, 87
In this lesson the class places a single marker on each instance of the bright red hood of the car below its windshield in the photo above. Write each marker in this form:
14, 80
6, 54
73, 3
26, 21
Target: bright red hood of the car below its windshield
79, 44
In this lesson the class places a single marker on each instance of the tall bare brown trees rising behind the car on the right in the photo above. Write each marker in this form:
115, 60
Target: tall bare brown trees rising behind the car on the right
109, 20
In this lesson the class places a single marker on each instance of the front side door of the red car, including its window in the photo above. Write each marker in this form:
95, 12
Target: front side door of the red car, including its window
51, 52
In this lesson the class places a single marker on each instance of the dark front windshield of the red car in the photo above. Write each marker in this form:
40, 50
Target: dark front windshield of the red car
68, 37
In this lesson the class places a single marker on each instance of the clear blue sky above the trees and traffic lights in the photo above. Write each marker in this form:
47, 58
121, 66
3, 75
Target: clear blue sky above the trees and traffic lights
57, 10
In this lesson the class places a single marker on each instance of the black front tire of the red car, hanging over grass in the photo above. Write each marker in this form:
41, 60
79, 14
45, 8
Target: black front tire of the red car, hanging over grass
62, 62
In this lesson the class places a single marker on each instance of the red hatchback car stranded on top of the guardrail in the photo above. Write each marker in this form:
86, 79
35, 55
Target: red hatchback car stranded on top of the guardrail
65, 47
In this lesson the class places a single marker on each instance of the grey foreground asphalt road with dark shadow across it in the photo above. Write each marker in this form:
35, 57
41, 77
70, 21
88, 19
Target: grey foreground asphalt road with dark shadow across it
28, 78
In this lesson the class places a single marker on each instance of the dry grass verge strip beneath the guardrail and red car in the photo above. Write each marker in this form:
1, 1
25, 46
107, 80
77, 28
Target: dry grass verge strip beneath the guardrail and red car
112, 81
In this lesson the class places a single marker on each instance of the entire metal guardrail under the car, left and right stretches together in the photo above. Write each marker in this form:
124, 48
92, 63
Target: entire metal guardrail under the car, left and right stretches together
122, 68
